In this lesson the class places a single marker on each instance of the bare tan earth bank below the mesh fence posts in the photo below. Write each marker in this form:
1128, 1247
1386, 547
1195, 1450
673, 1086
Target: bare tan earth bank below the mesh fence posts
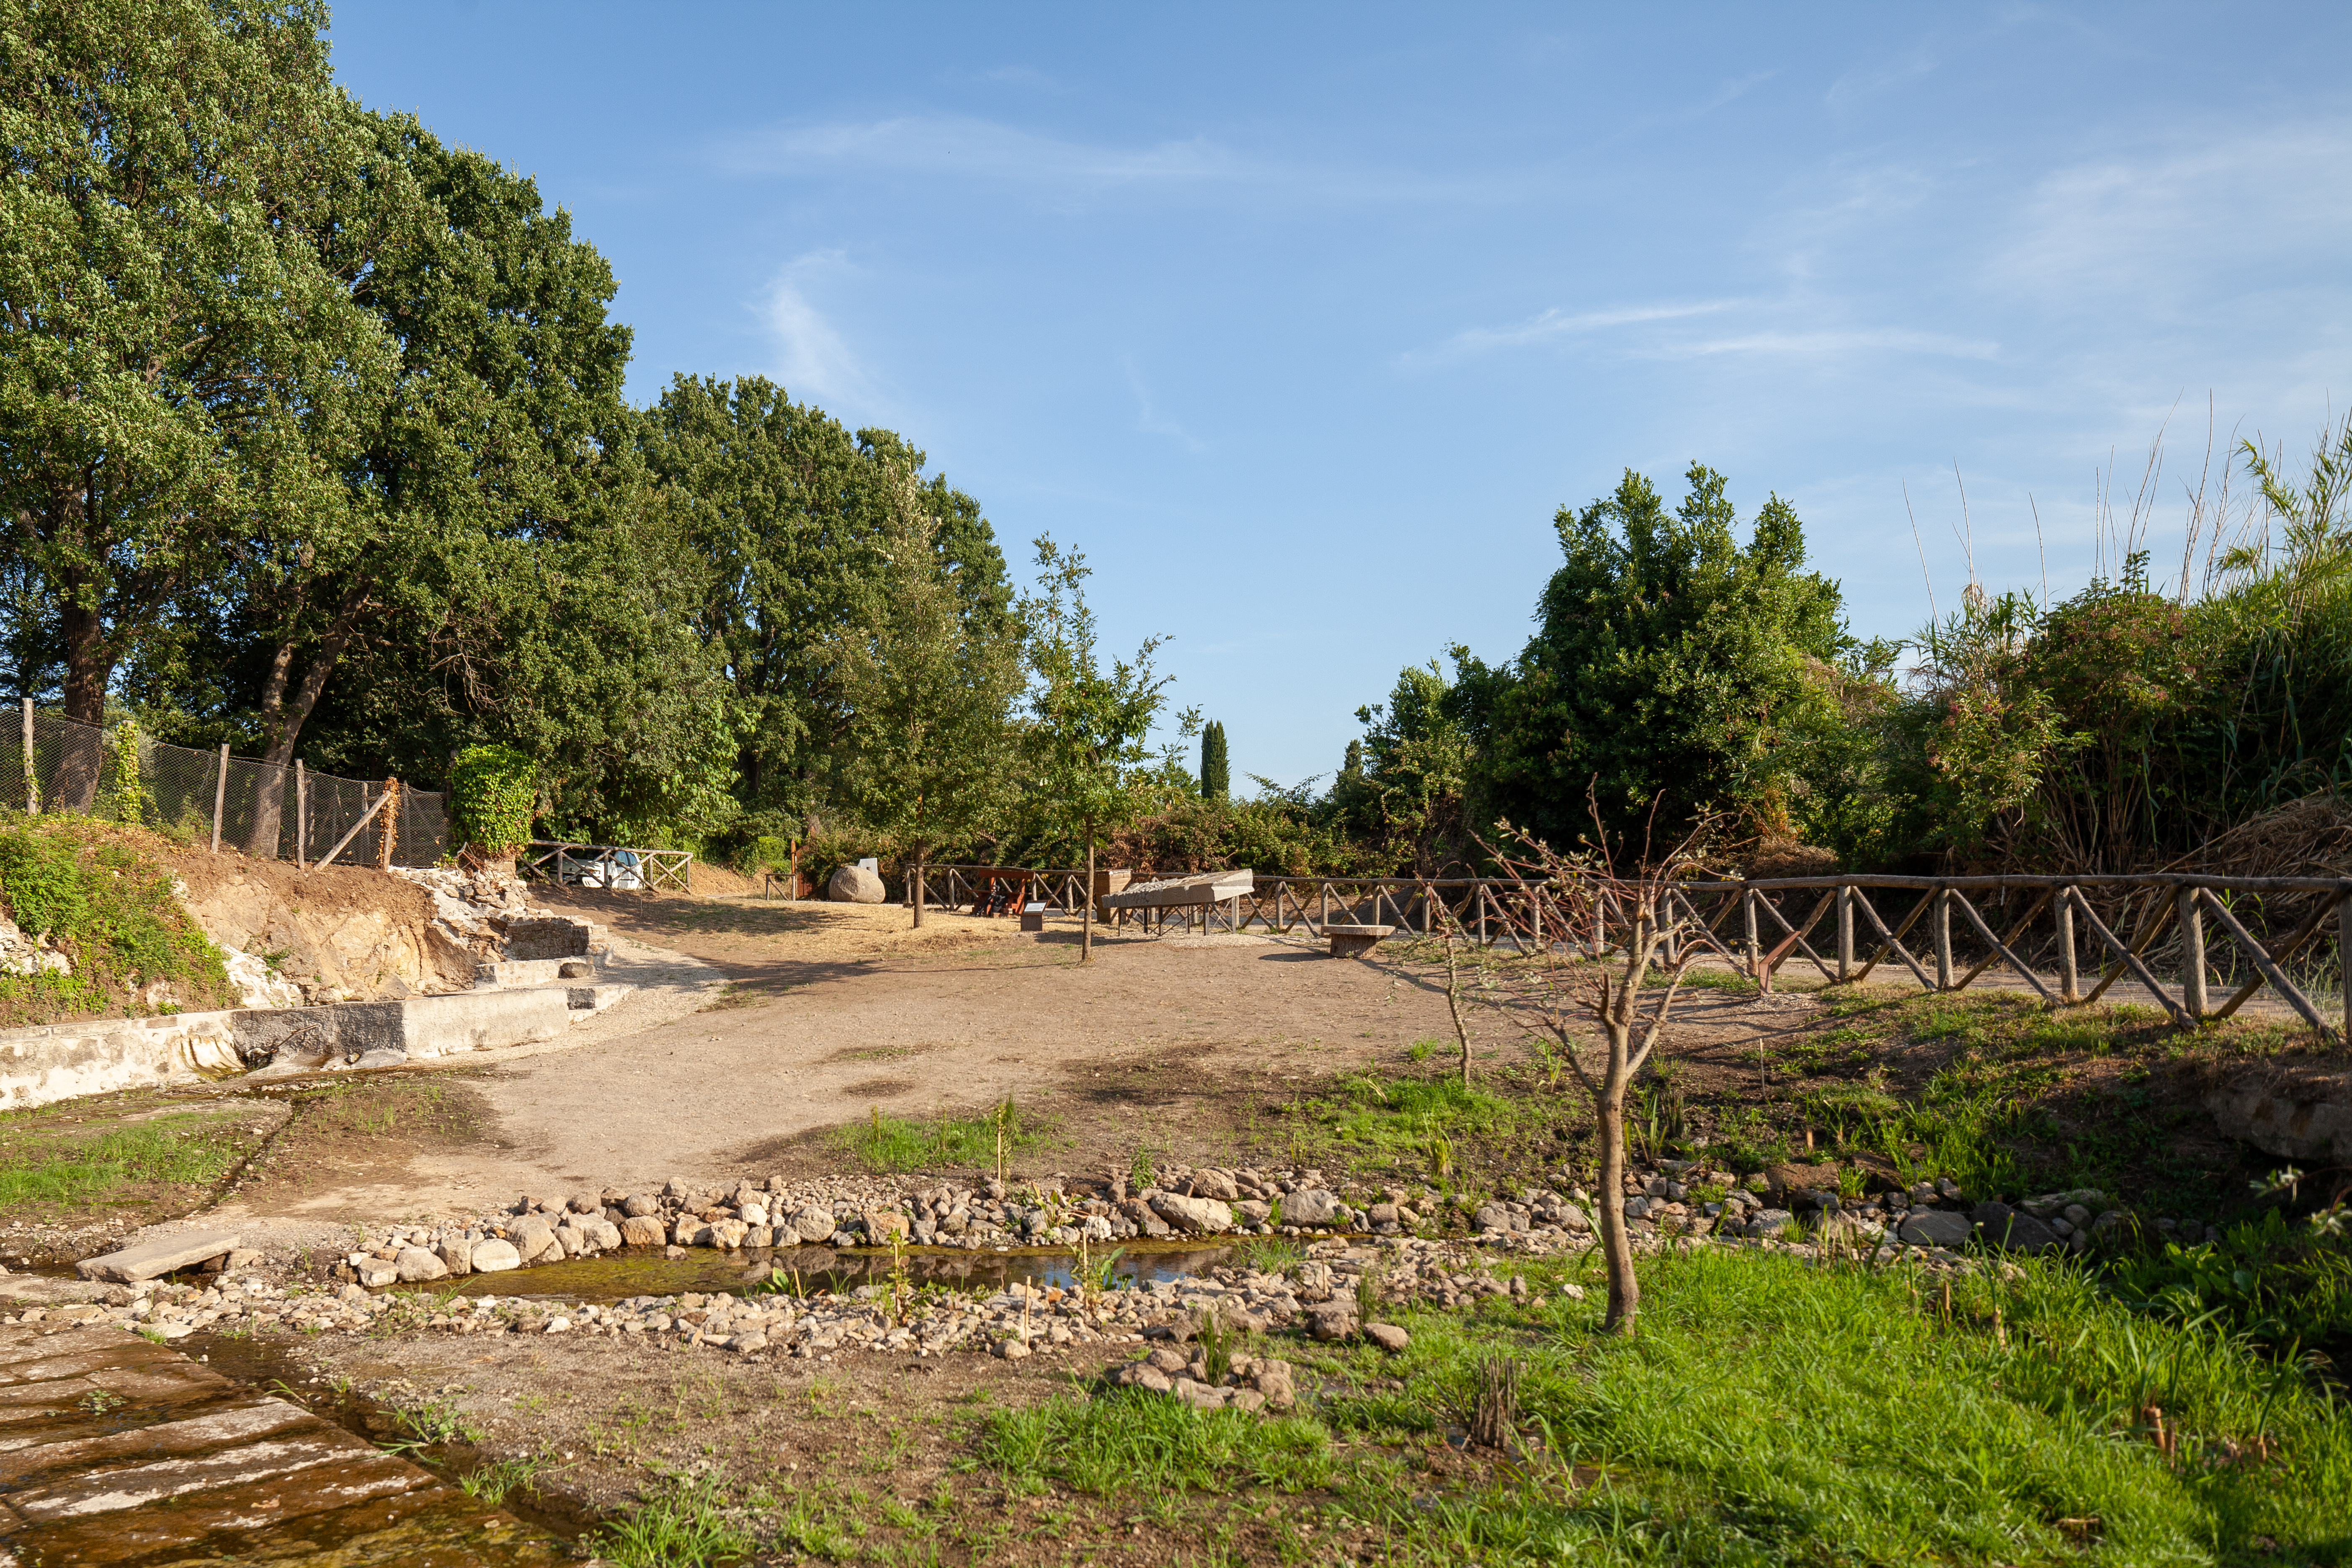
342, 934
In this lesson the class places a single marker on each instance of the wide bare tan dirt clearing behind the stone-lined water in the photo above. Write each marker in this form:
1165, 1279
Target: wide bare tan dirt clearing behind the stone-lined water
1177, 1045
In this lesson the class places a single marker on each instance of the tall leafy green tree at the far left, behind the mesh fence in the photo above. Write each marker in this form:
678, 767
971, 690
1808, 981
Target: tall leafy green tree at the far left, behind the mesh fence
180, 361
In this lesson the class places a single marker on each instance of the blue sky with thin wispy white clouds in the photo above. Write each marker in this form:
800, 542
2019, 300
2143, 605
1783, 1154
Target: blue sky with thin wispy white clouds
1304, 321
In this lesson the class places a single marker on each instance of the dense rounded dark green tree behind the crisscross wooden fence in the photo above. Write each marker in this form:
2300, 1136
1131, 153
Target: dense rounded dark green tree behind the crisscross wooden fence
1673, 674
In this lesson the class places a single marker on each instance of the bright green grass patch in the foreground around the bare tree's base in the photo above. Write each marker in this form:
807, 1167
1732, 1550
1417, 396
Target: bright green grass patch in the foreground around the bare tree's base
1772, 1414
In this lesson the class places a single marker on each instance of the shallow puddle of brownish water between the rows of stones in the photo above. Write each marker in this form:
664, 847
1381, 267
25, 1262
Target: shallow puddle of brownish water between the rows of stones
808, 1271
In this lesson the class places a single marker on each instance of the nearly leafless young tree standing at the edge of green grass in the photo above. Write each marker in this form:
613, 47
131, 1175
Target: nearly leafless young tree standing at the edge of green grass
1570, 909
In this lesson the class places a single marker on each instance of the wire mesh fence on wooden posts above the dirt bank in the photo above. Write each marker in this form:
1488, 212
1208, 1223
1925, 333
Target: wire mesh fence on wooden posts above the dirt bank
53, 763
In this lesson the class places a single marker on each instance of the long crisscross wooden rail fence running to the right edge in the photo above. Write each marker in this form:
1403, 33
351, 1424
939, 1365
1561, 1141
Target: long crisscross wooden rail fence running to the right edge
2071, 939
